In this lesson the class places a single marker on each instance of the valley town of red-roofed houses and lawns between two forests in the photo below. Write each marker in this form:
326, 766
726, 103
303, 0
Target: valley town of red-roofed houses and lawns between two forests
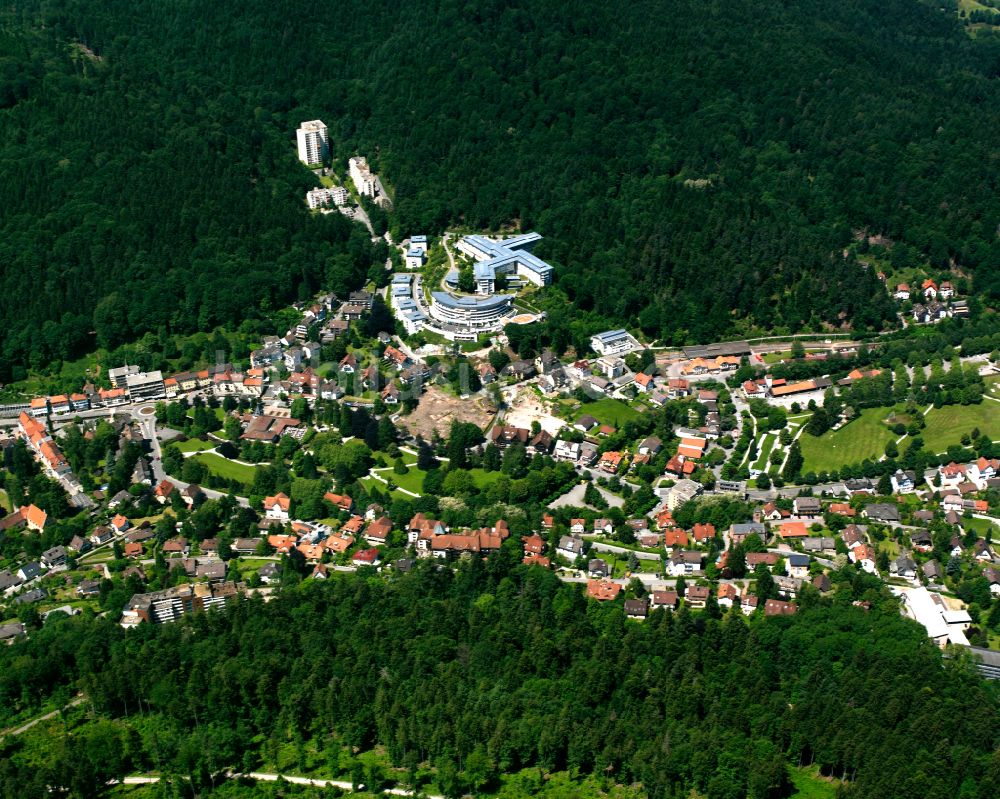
372, 434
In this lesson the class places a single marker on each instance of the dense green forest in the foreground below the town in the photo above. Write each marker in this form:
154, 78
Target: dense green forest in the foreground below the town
498, 667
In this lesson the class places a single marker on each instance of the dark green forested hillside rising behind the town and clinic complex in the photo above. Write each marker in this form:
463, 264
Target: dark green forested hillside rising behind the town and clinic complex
696, 167
